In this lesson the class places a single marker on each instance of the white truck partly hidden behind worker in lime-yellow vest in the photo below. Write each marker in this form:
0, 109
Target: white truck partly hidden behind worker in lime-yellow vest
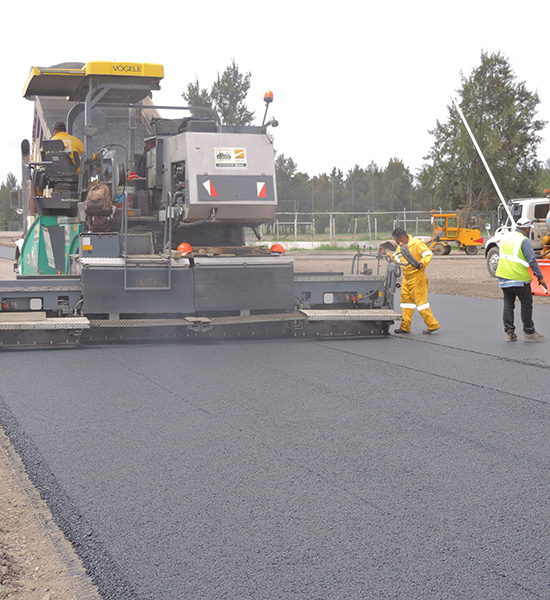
535, 209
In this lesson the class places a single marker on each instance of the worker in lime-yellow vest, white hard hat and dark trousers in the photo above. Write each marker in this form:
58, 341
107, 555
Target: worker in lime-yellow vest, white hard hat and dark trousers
516, 256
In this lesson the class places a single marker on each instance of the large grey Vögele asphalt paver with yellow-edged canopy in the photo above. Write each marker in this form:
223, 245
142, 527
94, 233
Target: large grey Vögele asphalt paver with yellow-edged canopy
168, 258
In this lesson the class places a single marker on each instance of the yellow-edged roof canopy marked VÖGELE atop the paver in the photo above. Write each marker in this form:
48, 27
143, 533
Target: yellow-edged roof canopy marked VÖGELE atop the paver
127, 82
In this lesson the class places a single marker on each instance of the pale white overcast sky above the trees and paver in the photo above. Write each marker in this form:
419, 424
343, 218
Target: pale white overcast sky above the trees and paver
353, 81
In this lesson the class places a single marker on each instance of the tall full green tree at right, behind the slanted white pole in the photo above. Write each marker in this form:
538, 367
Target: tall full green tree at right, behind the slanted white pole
501, 113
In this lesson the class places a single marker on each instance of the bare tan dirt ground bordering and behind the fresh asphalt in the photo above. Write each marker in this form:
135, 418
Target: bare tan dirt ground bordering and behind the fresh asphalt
37, 563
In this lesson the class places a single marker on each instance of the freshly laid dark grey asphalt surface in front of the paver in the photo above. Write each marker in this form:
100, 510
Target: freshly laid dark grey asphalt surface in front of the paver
412, 467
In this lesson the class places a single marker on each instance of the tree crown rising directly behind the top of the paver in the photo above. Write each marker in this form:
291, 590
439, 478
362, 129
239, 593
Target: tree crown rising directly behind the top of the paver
227, 96
